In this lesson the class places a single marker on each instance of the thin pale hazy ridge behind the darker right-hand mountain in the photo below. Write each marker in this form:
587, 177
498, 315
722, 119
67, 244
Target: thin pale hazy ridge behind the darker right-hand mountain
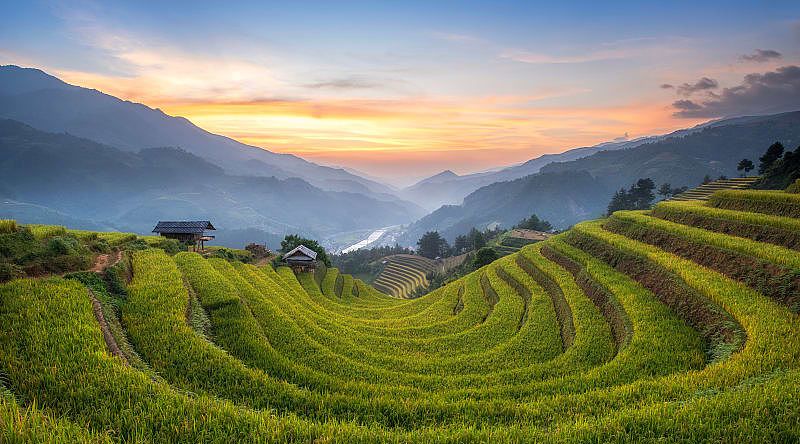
449, 189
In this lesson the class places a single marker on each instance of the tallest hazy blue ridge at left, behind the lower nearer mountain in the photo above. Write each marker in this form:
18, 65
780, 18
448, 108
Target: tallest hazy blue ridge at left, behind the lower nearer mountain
47, 103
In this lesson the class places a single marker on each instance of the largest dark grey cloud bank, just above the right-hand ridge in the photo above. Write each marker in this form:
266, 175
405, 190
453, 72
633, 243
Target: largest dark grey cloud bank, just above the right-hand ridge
772, 91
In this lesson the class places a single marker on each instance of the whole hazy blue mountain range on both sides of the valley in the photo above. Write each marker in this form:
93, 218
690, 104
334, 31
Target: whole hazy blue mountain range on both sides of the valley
81, 157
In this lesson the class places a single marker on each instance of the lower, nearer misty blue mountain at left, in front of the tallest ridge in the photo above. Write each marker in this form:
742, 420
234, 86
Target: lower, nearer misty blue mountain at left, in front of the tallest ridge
96, 185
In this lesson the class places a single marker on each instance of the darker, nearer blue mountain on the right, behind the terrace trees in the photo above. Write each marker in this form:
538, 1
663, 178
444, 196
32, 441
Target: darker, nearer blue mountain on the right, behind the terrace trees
567, 192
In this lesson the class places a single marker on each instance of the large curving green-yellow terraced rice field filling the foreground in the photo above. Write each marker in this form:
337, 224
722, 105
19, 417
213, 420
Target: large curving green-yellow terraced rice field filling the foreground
673, 325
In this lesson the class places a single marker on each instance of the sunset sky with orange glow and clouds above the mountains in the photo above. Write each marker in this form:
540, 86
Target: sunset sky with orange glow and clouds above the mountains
402, 90
